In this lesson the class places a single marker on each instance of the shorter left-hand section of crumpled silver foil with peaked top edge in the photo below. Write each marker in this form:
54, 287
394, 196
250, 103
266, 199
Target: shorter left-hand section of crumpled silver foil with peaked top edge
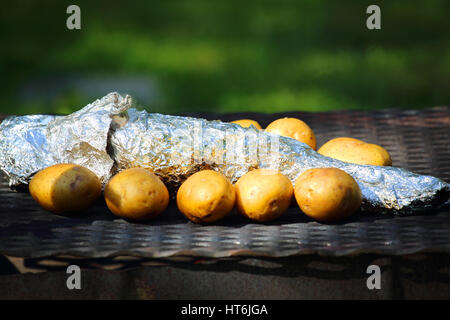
32, 143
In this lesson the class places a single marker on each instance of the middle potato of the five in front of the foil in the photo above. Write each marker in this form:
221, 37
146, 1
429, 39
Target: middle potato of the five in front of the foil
206, 196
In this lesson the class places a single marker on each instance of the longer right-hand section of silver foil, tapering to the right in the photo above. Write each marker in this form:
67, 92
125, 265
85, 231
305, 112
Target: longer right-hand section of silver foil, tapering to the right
174, 147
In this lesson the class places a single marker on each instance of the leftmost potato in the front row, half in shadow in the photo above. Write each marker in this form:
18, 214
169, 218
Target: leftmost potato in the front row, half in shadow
65, 188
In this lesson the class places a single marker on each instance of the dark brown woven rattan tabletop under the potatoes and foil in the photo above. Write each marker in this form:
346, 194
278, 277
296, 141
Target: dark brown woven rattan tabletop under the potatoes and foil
416, 140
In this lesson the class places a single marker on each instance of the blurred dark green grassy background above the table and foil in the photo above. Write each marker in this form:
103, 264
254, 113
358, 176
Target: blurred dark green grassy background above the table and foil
225, 56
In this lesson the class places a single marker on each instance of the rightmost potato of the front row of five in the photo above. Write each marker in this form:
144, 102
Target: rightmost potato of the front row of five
327, 194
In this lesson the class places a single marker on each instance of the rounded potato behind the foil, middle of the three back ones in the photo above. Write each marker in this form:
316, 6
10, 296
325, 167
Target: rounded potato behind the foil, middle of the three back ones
293, 128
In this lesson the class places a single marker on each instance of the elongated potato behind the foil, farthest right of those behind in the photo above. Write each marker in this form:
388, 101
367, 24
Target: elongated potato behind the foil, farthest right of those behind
356, 151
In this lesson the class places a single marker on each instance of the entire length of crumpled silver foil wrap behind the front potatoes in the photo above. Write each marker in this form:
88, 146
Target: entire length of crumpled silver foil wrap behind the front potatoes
108, 136
